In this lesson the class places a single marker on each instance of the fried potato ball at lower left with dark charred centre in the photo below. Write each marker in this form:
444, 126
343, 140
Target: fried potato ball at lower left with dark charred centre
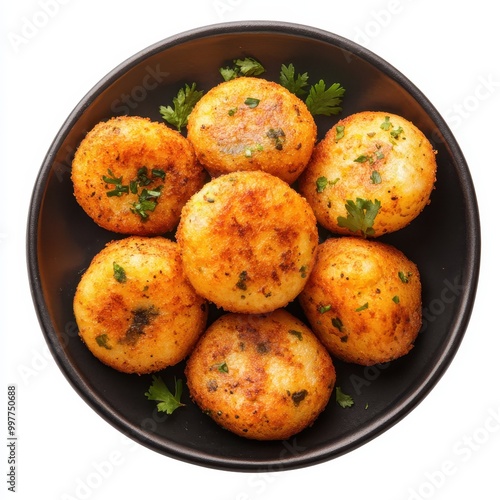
135, 309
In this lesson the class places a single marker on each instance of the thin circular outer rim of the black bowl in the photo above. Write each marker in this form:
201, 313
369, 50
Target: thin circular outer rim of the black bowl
411, 398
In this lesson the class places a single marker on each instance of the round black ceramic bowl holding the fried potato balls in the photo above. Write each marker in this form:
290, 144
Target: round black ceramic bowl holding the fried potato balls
444, 241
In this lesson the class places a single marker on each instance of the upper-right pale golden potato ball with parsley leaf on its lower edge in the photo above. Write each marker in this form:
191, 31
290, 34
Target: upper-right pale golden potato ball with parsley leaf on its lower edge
370, 156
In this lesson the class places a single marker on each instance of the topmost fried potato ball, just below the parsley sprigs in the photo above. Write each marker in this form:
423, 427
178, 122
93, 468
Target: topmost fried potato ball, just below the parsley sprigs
252, 124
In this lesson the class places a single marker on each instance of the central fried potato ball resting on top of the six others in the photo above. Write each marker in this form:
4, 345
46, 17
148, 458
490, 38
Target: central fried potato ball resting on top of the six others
248, 242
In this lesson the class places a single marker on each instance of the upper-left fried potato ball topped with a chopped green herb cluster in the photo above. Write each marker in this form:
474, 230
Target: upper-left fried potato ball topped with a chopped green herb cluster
133, 176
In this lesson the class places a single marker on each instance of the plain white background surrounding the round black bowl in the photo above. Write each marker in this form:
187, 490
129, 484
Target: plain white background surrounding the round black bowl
447, 448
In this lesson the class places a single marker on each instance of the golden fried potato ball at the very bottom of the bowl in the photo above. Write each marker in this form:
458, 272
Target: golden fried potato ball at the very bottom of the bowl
262, 377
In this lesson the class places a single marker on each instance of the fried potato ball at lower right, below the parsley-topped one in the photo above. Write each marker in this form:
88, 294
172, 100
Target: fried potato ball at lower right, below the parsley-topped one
363, 300
